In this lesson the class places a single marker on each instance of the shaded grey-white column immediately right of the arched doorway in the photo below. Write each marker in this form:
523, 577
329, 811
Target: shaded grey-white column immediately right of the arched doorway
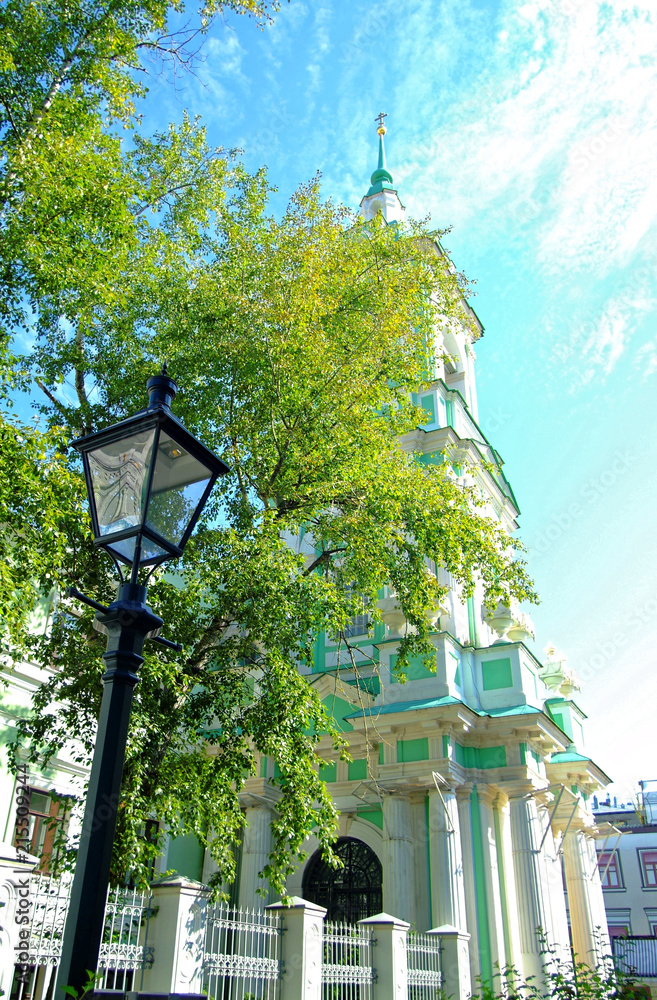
398, 878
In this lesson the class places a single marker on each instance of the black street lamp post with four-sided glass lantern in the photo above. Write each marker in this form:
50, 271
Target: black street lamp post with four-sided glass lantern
148, 480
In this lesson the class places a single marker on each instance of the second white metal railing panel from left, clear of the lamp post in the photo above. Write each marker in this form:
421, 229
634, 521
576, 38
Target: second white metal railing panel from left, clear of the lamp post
241, 957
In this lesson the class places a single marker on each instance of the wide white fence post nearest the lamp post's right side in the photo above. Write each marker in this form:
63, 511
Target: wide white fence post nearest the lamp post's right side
177, 935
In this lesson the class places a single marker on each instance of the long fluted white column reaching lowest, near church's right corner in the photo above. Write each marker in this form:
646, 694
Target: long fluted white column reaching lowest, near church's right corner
533, 913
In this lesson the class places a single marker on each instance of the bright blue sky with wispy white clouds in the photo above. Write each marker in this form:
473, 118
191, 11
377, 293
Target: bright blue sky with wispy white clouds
529, 130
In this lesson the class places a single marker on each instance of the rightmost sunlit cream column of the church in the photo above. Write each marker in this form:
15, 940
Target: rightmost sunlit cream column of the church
585, 901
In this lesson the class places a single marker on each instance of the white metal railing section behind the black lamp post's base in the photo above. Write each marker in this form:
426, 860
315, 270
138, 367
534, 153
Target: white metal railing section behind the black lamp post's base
124, 950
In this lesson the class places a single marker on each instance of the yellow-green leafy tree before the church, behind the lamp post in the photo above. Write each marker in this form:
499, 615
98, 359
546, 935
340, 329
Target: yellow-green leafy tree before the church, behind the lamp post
298, 343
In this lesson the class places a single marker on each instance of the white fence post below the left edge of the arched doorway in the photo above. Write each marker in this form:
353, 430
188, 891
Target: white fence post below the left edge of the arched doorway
301, 949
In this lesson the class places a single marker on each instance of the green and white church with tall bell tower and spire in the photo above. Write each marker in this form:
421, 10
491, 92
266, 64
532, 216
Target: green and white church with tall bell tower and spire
466, 803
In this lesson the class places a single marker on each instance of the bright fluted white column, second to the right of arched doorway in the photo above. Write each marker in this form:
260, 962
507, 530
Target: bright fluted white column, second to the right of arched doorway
446, 861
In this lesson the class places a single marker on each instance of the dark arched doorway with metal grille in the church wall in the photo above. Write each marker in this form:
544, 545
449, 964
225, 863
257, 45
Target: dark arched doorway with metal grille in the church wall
351, 892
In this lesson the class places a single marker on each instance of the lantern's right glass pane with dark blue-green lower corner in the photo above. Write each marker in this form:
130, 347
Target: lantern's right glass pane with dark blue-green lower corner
179, 482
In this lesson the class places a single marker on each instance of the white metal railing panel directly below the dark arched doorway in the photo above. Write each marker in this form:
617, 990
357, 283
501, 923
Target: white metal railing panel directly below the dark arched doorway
347, 968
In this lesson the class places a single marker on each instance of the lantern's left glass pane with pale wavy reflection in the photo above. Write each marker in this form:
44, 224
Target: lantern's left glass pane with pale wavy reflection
119, 475
